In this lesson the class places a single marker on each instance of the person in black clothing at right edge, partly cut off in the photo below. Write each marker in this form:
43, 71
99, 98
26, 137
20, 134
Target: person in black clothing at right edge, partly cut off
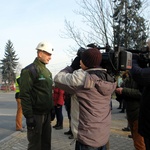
142, 77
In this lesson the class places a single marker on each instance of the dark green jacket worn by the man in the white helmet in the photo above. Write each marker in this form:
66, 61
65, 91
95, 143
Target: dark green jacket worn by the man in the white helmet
36, 94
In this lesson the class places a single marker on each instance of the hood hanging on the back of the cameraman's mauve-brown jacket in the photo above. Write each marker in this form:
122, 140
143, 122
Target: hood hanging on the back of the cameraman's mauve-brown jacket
103, 86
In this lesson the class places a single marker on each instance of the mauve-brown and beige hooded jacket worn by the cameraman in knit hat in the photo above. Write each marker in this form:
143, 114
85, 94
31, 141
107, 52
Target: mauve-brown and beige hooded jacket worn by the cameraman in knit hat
90, 103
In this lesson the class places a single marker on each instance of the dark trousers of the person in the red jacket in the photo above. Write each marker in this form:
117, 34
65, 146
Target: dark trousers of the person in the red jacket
59, 115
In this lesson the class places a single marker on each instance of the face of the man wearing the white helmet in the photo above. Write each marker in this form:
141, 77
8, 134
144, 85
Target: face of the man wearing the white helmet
44, 57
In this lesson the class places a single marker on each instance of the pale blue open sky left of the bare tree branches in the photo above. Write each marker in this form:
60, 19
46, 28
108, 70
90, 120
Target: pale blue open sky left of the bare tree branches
28, 22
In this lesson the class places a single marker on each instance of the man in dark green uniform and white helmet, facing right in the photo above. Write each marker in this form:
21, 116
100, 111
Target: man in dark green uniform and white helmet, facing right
36, 98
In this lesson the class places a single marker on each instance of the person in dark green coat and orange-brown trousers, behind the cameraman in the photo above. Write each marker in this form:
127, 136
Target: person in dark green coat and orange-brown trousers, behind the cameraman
132, 96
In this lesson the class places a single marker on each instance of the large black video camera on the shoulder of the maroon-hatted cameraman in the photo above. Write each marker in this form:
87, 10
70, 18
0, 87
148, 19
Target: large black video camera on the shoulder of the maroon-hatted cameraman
113, 60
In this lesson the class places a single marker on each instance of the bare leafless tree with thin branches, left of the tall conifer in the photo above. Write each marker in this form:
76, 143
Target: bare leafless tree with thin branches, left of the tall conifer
96, 23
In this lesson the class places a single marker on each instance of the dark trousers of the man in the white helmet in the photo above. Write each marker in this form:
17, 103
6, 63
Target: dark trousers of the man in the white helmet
40, 137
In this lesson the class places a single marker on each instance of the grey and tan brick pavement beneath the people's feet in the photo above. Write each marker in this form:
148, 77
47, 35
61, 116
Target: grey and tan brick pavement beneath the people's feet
118, 139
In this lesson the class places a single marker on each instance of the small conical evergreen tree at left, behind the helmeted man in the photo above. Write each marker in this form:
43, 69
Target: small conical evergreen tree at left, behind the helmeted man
8, 64
